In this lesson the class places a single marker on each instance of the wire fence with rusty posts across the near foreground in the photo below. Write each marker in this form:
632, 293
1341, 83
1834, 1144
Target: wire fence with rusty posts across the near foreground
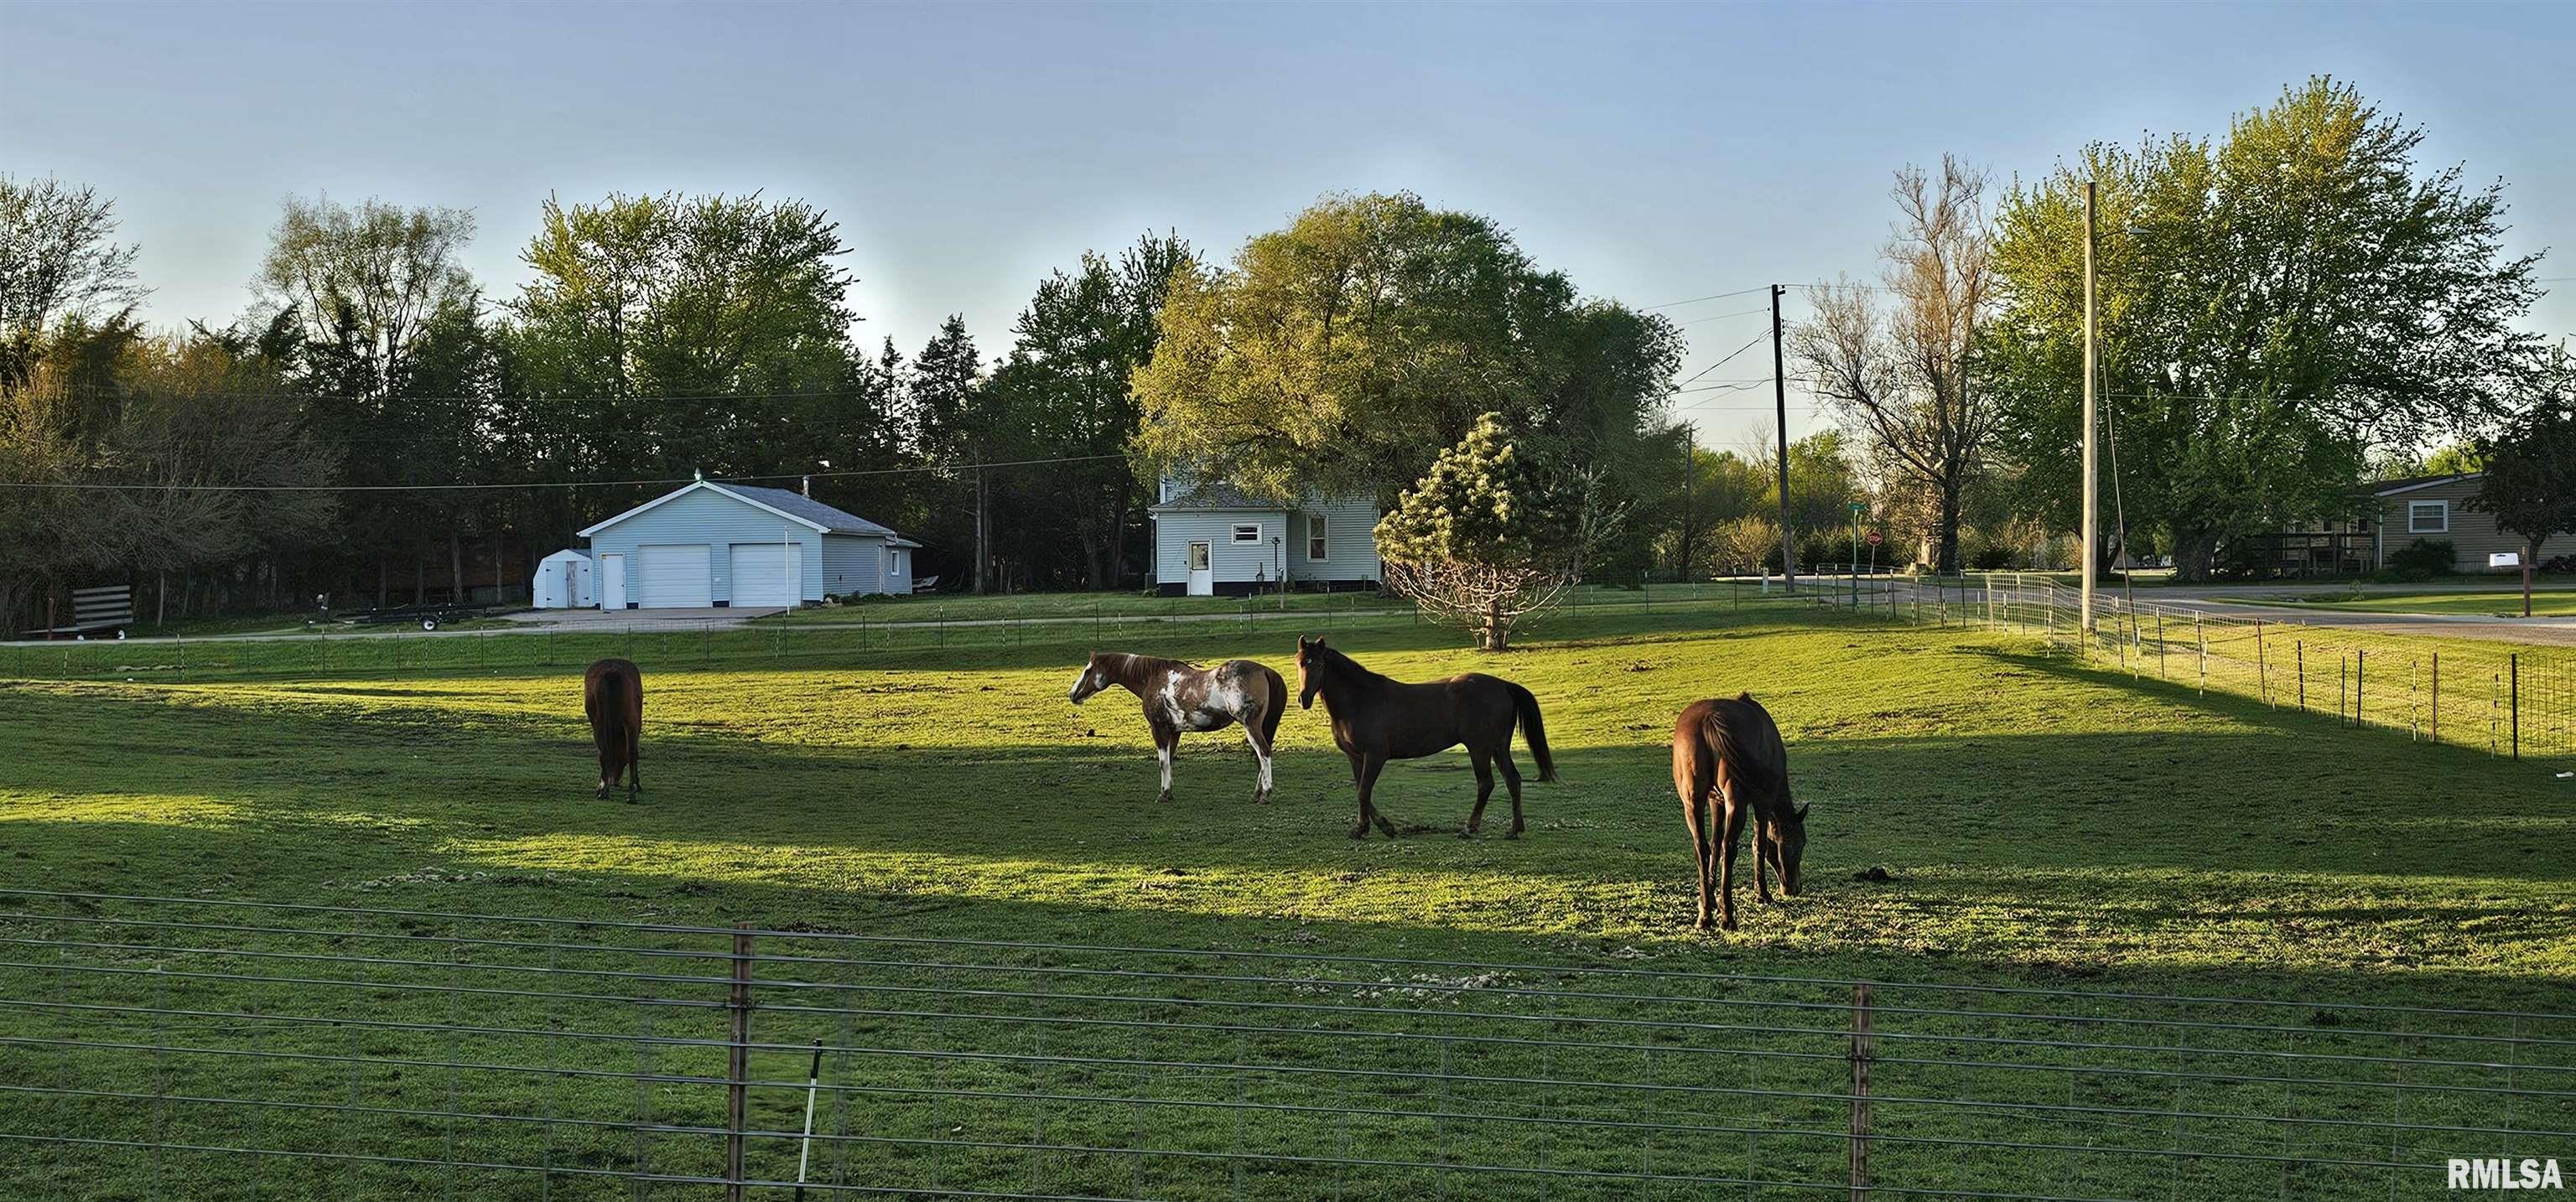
238, 1049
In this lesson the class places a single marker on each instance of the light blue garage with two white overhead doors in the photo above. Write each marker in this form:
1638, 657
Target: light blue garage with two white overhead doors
735, 544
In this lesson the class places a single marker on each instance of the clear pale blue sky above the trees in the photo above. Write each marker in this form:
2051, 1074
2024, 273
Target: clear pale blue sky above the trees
1653, 153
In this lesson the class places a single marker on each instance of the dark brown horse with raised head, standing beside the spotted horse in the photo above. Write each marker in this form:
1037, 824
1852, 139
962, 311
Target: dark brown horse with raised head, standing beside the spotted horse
1379, 719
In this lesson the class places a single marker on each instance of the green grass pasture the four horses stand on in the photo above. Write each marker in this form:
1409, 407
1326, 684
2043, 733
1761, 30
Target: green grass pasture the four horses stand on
2039, 822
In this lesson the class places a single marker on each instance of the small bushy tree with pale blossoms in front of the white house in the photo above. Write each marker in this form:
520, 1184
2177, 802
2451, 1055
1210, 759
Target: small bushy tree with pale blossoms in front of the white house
1490, 534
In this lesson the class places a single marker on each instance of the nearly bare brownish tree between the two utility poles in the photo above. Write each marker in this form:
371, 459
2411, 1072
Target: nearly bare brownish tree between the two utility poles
1900, 374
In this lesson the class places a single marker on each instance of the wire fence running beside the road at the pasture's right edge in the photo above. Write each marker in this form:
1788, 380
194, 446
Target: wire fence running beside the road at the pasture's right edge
2503, 699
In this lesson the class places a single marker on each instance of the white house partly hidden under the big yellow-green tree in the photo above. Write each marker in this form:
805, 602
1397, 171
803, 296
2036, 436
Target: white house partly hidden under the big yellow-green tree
1217, 542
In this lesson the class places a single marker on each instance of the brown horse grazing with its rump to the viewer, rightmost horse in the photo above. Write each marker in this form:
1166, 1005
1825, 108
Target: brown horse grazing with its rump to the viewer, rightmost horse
1730, 753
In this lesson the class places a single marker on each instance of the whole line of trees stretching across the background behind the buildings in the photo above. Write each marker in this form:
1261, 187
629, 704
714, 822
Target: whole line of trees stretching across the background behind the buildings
2286, 313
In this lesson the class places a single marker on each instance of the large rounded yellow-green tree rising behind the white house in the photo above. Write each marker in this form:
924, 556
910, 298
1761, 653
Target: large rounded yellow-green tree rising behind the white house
1343, 351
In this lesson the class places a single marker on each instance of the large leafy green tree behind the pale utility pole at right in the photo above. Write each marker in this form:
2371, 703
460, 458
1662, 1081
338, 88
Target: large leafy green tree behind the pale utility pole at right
2273, 308
